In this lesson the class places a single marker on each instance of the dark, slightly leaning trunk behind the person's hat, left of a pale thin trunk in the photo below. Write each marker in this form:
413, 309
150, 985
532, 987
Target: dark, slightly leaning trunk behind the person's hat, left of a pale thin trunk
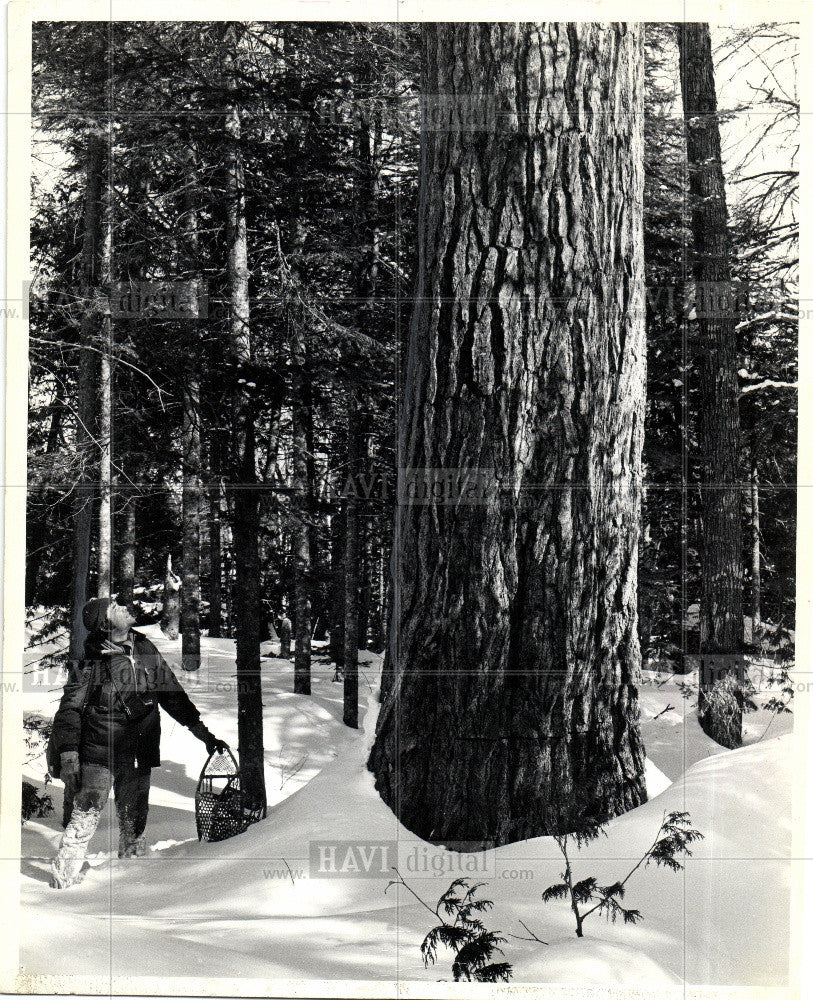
85, 395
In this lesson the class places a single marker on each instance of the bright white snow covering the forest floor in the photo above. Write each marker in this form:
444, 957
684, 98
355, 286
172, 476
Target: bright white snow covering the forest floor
259, 906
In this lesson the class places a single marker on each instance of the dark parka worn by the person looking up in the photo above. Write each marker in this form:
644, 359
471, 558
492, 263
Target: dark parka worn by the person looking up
109, 708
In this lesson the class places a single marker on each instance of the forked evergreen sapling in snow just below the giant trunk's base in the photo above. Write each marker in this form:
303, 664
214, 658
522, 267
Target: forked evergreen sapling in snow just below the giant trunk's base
587, 896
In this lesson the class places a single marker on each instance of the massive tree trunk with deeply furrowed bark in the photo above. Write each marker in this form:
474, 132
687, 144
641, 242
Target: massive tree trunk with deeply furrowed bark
513, 708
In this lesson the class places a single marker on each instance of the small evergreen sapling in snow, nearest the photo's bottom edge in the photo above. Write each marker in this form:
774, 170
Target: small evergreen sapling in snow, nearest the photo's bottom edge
465, 935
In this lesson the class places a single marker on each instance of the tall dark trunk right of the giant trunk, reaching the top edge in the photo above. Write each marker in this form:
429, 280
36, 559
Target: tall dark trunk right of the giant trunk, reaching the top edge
721, 622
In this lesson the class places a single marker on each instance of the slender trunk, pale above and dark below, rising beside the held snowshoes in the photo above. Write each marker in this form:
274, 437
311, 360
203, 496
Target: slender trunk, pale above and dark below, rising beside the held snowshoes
245, 524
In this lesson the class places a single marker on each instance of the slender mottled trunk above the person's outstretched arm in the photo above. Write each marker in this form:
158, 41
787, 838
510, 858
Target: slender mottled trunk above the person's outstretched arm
191, 463
